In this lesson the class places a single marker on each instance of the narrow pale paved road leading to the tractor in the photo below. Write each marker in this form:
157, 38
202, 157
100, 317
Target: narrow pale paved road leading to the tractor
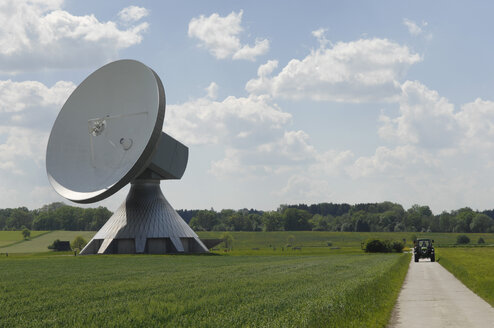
433, 297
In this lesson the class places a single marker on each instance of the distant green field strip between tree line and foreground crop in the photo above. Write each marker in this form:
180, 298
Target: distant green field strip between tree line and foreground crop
247, 243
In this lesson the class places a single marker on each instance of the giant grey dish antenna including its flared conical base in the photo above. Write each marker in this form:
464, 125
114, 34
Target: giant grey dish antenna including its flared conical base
108, 134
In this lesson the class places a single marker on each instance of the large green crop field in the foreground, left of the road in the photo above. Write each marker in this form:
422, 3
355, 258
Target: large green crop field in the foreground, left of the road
46, 290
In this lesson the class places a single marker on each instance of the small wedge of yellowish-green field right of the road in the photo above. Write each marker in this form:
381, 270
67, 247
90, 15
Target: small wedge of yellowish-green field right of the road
473, 266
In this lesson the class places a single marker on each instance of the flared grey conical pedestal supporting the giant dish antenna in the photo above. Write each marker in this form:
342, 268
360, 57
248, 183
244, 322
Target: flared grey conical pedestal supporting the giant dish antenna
145, 223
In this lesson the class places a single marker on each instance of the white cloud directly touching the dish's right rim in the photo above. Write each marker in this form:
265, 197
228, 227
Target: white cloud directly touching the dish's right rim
243, 120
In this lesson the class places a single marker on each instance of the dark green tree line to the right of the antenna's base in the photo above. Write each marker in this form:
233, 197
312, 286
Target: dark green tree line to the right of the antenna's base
382, 217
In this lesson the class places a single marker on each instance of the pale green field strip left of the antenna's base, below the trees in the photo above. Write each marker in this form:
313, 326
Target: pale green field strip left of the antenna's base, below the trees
44, 239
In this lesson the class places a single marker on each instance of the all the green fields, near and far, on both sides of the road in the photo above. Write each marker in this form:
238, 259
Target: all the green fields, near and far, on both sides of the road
261, 283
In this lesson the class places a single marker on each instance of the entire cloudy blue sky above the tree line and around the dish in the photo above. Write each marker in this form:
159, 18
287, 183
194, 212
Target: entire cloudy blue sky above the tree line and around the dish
279, 101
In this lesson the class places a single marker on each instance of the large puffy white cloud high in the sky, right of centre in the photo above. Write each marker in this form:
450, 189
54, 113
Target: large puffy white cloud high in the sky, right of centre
365, 70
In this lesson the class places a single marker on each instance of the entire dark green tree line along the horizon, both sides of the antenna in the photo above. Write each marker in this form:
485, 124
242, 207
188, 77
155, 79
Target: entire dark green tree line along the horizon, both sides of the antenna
384, 216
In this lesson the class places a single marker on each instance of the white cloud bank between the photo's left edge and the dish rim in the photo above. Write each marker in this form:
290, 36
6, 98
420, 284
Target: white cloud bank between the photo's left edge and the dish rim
27, 111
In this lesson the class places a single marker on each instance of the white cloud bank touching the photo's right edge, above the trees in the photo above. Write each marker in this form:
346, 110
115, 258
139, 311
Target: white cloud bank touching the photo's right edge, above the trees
430, 122
